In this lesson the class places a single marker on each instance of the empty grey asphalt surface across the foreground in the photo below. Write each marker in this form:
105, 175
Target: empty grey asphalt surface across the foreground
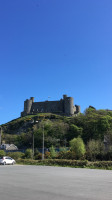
54, 183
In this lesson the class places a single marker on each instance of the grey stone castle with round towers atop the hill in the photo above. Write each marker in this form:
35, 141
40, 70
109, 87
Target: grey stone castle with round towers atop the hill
64, 106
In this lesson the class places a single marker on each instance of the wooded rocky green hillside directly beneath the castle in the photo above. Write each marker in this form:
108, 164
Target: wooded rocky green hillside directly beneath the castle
59, 130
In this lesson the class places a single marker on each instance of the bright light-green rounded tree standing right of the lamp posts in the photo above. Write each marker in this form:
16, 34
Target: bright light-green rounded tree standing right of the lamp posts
77, 145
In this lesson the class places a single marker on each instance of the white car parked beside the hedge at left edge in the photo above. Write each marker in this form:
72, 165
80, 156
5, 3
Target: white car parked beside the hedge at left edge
5, 160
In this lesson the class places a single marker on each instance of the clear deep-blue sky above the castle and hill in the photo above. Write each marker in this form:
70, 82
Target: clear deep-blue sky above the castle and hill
55, 47
